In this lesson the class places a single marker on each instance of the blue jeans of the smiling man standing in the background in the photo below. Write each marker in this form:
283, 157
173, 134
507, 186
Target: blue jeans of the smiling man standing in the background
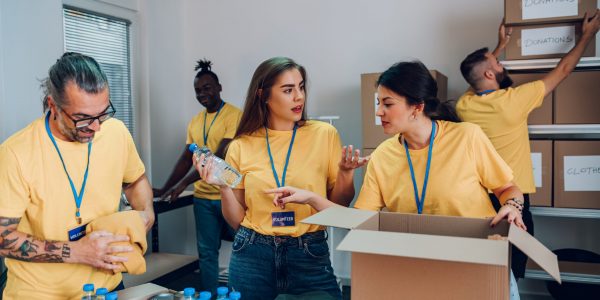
210, 225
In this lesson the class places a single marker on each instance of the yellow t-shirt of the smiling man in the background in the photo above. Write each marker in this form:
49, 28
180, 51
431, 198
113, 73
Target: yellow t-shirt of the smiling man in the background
224, 127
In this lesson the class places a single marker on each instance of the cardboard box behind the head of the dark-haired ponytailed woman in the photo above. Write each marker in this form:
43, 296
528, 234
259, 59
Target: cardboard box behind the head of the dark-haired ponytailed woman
372, 131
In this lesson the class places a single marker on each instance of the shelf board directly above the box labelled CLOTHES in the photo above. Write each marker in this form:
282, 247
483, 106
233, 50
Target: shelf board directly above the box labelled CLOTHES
570, 131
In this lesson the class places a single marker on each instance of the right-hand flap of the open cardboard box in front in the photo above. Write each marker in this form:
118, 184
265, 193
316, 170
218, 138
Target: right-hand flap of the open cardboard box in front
535, 250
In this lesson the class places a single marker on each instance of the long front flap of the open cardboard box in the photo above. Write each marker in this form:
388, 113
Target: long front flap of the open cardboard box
457, 249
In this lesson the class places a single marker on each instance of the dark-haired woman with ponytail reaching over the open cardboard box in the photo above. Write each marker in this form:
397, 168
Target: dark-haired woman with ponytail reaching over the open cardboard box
433, 165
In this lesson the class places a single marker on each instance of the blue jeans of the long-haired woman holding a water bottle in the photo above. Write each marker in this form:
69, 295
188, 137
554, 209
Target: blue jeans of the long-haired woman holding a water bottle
264, 266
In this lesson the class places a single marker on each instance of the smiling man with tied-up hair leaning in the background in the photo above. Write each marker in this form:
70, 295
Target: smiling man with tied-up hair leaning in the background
212, 127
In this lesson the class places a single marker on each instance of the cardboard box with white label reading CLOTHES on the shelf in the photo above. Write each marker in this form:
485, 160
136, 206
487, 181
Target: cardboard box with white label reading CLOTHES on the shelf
577, 174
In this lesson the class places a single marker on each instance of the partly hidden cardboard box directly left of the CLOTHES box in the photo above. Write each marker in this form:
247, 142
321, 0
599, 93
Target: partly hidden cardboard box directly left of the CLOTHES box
541, 156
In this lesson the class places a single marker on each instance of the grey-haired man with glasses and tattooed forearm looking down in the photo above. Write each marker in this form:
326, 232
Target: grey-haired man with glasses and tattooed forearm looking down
58, 174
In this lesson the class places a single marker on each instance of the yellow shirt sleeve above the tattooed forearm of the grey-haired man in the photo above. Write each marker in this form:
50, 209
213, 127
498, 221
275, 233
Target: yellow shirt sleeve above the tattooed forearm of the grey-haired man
14, 196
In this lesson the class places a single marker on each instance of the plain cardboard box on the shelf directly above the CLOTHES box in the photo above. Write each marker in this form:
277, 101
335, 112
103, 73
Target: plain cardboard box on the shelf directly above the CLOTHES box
577, 99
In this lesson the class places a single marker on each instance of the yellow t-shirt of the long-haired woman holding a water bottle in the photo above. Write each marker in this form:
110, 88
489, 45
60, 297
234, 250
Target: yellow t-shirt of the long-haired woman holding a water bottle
313, 165
